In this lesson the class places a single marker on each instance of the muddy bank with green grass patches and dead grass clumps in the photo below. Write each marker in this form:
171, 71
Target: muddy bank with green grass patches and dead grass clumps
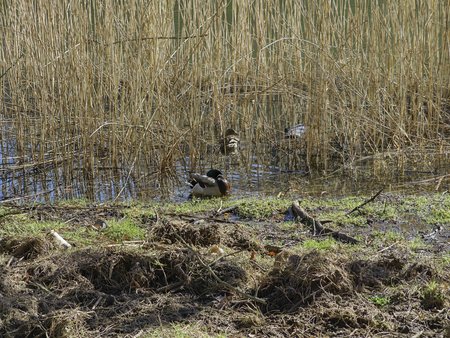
235, 268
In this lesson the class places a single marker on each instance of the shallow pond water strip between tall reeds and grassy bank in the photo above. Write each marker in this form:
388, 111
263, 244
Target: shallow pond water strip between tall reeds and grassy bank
264, 170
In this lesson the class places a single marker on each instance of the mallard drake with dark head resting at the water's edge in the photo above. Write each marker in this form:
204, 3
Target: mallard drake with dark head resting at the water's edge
213, 184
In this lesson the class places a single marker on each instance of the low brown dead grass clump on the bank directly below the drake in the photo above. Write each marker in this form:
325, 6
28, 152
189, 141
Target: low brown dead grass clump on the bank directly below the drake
201, 234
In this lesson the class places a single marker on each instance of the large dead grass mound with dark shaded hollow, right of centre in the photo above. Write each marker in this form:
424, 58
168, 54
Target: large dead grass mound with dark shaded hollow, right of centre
303, 279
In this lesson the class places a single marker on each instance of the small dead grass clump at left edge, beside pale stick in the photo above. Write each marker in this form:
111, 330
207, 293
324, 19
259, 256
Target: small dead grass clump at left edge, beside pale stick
26, 248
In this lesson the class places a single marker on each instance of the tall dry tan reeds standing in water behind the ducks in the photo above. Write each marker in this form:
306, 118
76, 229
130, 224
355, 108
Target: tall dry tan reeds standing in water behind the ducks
139, 86
